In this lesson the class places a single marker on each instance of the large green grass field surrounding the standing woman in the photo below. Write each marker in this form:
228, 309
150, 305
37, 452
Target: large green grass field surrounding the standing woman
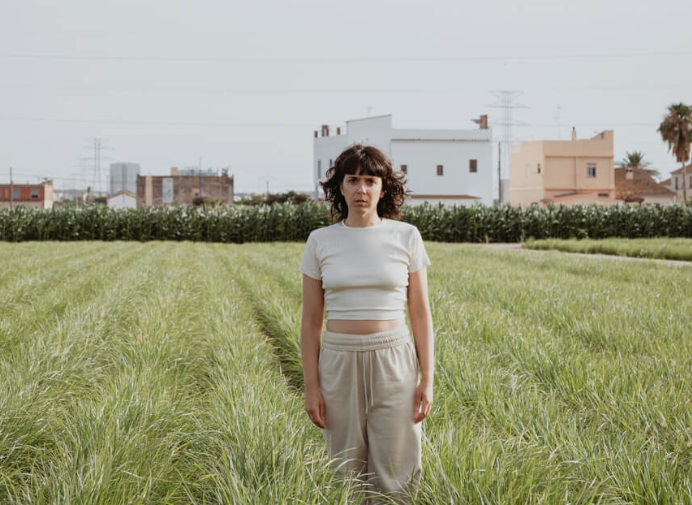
167, 372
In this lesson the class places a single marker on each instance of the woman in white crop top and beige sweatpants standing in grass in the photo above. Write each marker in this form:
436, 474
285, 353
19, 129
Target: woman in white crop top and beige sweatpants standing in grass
362, 385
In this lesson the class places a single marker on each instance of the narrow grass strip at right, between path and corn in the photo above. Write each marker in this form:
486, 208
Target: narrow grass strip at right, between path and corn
662, 248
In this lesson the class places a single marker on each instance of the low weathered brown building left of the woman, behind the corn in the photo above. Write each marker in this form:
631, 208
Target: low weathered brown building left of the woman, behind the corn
176, 189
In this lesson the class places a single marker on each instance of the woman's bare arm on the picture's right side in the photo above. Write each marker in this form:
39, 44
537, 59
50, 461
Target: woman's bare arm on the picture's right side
421, 324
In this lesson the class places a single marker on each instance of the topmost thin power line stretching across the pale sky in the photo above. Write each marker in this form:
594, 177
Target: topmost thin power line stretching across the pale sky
332, 59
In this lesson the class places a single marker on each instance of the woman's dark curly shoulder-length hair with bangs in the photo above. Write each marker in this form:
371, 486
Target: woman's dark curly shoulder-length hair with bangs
360, 159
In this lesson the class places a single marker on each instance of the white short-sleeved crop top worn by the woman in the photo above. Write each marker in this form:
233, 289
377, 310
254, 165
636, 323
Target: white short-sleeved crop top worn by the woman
364, 271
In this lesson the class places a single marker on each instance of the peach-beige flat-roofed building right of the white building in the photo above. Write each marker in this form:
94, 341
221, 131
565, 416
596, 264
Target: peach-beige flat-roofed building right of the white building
563, 171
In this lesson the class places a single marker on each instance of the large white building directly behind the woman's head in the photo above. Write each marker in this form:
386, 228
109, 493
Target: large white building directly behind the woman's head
449, 166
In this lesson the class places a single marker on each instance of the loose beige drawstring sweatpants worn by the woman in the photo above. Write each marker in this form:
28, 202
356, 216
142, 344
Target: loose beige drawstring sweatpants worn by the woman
368, 384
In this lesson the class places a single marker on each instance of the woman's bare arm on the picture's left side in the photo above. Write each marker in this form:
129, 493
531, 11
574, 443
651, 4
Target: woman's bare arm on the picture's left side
310, 335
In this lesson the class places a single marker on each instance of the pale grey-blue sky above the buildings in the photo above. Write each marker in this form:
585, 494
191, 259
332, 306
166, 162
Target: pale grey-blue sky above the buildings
243, 85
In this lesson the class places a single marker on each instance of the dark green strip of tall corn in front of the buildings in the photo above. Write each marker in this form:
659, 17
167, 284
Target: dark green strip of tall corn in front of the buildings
287, 222
